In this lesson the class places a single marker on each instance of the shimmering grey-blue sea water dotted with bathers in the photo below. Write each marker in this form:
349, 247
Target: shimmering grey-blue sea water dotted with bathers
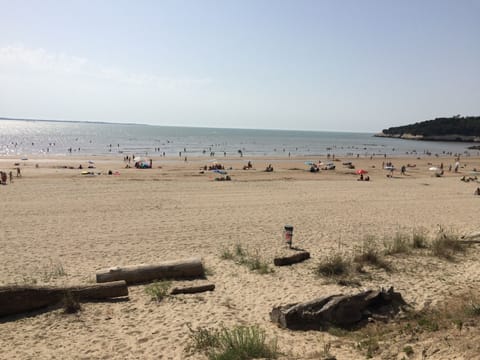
51, 138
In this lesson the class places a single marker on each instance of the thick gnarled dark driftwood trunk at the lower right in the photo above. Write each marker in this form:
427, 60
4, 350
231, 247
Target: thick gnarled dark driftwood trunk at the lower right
338, 310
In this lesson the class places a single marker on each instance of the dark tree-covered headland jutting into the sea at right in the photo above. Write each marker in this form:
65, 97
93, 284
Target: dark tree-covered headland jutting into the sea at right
466, 126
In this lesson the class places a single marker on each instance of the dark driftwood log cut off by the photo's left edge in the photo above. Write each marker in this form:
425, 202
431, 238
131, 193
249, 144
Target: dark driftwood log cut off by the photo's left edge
19, 299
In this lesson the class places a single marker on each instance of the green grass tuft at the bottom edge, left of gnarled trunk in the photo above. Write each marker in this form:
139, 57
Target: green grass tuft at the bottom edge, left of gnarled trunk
238, 343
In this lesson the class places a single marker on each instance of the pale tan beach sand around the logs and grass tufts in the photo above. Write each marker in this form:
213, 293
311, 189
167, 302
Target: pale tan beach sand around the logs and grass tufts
54, 218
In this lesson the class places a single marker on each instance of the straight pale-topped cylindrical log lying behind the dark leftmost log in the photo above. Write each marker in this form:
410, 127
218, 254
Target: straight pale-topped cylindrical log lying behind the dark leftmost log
189, 268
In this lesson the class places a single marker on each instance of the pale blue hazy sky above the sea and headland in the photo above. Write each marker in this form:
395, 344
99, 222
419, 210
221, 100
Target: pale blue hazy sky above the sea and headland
307, 65
